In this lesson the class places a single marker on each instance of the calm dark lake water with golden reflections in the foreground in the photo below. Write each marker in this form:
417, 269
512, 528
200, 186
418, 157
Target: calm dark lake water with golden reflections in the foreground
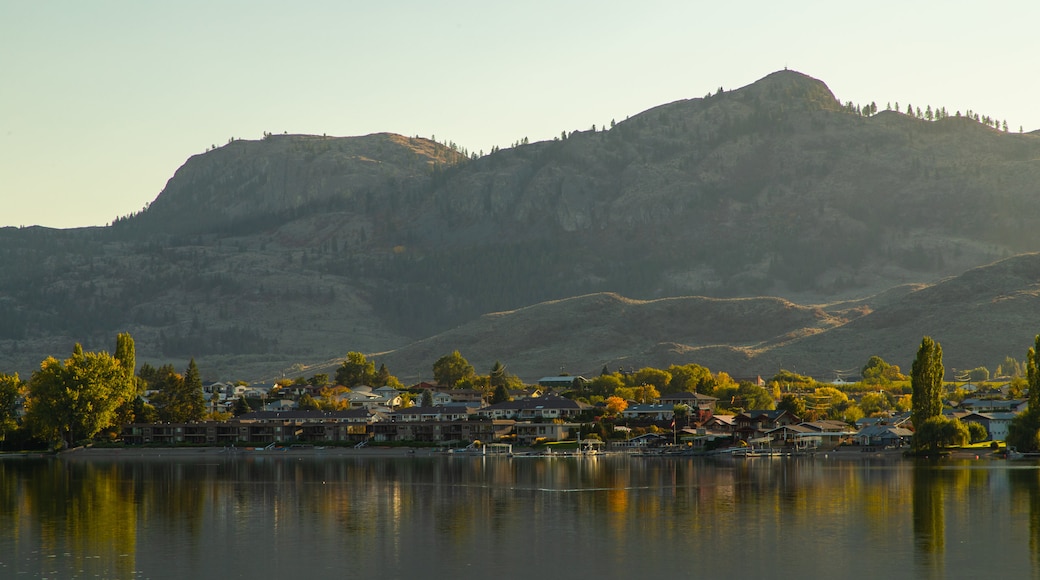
444, 517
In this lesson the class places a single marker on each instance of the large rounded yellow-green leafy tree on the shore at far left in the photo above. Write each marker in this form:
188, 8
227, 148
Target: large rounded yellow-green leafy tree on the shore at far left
77, 399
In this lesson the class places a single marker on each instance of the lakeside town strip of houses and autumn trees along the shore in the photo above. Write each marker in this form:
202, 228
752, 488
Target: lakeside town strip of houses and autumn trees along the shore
681, 410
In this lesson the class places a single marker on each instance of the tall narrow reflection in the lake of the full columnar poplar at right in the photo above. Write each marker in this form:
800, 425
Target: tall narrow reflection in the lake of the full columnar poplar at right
929, 518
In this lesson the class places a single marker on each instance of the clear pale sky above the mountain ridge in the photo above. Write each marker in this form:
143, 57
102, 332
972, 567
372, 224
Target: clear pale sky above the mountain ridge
102, 101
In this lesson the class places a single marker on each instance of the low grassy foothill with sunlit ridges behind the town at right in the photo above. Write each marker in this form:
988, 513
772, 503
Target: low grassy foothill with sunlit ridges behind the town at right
979, 318
